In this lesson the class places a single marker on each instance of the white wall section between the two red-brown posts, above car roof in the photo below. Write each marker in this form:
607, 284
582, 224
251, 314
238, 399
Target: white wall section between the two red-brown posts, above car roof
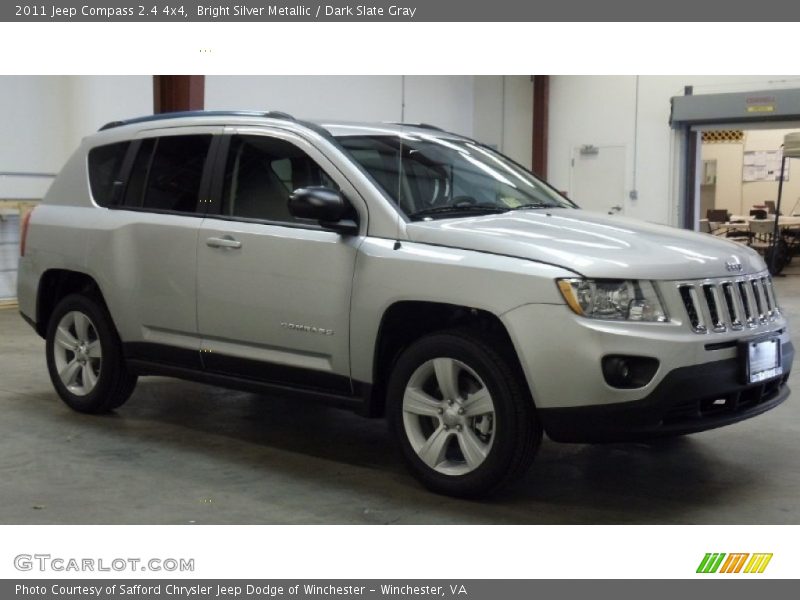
473, 106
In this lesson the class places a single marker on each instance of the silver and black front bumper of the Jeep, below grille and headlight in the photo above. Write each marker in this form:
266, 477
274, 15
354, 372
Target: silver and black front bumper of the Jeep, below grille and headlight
561, 356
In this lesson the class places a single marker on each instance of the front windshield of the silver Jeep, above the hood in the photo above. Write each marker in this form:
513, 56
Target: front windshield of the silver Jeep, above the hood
430, 177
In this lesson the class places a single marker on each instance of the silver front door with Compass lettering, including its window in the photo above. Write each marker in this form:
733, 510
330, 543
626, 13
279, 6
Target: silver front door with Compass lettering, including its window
274, 291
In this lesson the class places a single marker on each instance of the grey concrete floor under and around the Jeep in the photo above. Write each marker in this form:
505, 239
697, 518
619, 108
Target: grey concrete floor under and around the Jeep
184, 453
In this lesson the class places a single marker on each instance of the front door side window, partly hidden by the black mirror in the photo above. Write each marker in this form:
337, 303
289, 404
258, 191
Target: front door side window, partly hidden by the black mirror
260, 175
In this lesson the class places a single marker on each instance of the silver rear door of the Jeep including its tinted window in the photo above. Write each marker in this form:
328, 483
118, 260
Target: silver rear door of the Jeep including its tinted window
153, 249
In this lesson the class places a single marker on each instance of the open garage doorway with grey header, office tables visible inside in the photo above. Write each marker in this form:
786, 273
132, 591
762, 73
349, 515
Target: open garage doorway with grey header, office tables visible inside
732, 146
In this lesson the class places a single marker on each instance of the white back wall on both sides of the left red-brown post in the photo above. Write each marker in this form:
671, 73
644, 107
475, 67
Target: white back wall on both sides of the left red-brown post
43, 118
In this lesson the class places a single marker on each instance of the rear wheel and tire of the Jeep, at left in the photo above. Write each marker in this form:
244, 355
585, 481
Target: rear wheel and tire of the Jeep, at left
84, 357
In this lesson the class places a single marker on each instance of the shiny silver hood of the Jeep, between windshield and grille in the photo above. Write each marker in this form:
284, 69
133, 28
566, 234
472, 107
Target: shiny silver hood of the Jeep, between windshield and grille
592, 244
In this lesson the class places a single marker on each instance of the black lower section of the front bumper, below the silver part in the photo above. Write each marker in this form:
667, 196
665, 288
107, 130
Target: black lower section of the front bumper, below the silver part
687, 400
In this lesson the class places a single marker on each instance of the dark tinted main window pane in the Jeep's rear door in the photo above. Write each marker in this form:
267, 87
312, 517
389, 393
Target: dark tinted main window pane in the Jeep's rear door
173, 179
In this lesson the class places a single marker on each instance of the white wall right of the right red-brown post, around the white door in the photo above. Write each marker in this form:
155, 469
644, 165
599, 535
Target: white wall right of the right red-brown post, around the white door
601, 110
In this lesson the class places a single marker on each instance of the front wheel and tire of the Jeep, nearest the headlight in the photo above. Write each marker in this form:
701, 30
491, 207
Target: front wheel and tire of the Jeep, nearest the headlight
461, 413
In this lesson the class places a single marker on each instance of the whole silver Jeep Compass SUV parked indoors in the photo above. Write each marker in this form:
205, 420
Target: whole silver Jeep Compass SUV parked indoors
396, 269
